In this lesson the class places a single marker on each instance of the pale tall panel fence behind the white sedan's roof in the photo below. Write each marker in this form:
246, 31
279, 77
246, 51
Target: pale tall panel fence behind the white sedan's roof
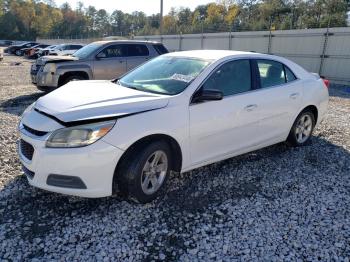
317, 50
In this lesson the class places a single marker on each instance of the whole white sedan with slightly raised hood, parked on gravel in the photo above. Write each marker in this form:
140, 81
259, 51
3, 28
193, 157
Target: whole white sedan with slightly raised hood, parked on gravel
176, 112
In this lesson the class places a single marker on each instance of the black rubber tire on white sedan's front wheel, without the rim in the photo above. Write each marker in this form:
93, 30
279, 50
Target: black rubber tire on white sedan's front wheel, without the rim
130, 174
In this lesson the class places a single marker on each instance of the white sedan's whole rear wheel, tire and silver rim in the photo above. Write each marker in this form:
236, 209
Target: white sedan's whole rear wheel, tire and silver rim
302, 129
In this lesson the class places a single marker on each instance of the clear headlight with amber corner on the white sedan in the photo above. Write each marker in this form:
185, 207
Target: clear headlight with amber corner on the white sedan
79, 136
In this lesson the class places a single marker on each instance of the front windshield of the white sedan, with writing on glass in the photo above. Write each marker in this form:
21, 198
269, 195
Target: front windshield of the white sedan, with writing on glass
165, 74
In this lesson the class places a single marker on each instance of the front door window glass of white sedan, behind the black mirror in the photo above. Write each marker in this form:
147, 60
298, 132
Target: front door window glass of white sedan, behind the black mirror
231, 78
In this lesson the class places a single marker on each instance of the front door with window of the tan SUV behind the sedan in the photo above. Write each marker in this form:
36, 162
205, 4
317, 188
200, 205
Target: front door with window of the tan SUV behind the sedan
110, 62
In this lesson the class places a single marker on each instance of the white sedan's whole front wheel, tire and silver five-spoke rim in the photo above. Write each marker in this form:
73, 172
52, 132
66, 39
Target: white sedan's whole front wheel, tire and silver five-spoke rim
143, 174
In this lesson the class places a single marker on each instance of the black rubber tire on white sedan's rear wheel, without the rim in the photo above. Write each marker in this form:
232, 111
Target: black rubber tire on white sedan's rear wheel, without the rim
292, 137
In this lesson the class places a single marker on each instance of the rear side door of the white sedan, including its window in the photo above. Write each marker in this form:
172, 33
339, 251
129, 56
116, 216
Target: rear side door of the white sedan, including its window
279, 99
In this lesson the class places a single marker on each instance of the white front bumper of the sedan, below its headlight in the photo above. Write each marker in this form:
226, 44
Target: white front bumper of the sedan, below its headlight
94, 165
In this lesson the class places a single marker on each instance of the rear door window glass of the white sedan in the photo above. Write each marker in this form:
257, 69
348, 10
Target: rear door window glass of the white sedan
273, 73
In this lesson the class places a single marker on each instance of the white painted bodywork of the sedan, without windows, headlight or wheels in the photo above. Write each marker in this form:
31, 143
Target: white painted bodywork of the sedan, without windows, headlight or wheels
206, 132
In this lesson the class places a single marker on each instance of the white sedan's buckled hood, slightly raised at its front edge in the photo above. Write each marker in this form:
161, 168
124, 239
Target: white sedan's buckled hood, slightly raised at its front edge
84, 101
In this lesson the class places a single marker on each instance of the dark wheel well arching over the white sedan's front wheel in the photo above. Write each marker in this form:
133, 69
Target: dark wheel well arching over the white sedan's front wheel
173, 144
